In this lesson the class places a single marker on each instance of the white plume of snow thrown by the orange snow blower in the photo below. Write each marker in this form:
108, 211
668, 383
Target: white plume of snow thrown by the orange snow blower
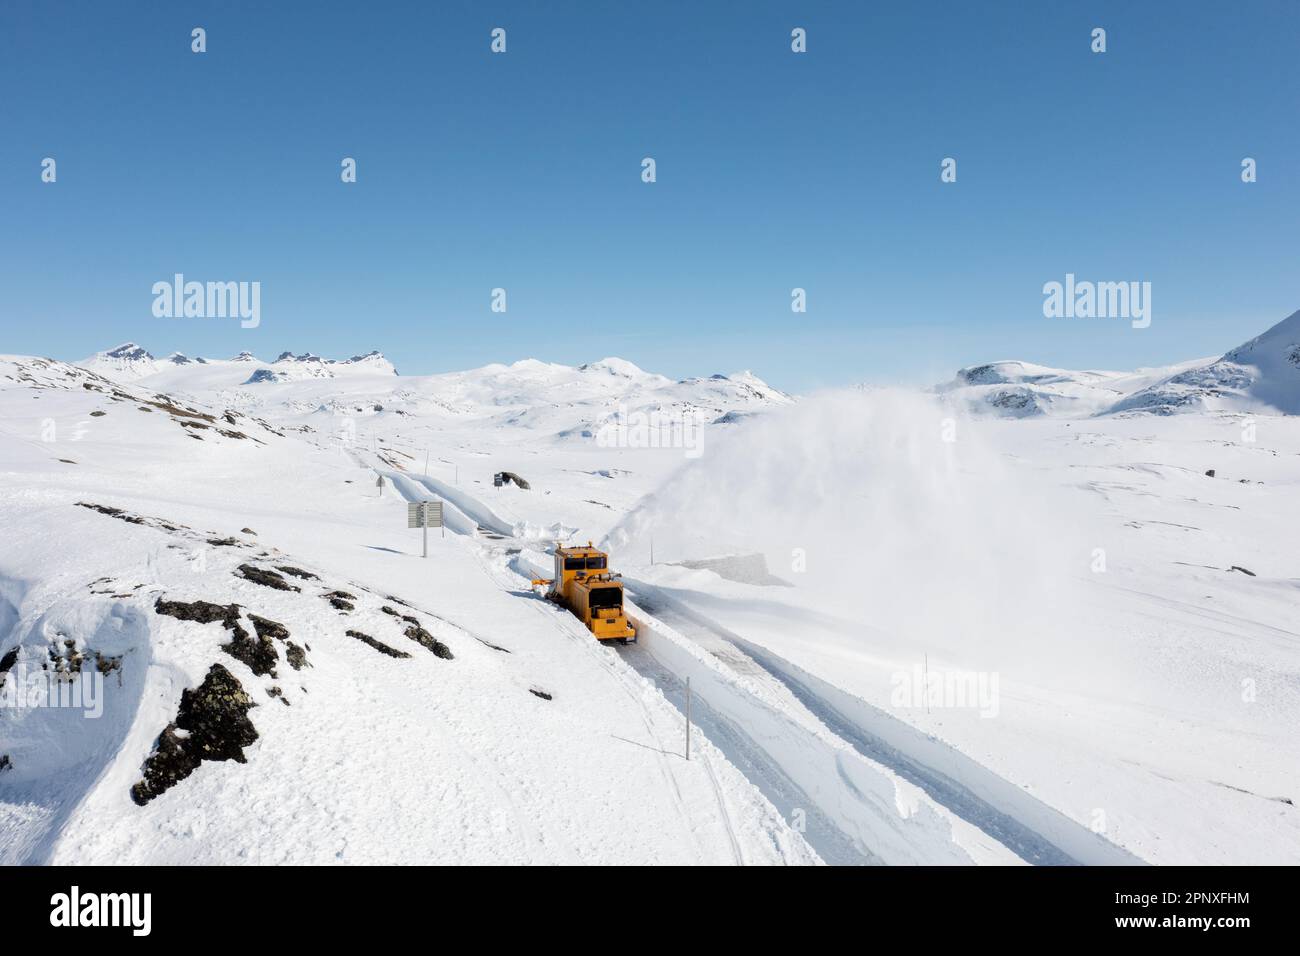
908, 524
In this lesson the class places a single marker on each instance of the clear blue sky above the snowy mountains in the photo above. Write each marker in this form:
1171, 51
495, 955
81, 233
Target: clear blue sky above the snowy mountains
774, 171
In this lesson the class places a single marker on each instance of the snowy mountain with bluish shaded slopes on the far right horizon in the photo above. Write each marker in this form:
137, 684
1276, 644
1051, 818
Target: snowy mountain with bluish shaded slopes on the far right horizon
1262, 375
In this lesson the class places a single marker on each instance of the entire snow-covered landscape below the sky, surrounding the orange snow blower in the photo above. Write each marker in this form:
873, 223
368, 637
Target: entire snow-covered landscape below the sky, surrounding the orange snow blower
1107, 603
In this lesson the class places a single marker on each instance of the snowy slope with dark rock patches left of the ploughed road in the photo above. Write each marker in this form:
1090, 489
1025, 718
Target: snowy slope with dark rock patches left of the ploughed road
284, 680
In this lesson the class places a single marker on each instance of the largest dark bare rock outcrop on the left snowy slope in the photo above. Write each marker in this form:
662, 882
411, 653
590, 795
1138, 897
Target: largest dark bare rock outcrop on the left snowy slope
215, 721
